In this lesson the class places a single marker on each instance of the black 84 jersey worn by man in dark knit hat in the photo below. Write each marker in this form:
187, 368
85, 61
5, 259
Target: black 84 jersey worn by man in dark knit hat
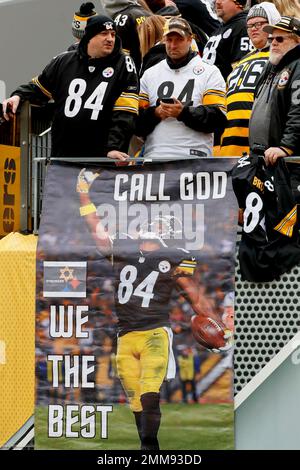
96, 102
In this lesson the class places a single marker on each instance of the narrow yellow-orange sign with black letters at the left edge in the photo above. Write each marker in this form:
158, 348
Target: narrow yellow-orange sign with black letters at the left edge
9, 189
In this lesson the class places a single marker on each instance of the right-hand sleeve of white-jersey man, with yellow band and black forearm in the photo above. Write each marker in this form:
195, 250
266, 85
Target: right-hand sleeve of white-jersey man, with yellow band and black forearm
211, 114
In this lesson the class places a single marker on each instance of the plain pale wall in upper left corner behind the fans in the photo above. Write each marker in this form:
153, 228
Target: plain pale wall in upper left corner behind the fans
31, 33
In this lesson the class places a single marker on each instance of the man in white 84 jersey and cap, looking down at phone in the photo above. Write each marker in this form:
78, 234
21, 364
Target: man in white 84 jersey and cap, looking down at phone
182, 99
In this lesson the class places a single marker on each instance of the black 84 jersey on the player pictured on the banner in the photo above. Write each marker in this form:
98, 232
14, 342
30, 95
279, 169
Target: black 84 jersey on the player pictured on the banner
144, 281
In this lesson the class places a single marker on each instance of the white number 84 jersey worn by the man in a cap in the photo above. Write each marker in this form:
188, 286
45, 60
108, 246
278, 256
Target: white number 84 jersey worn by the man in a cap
194, 84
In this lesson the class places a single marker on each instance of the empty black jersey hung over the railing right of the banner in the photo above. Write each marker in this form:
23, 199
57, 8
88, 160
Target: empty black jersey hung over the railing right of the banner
270, 237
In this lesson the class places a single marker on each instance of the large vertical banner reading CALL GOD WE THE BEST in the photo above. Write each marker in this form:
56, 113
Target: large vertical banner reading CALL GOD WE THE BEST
135, 282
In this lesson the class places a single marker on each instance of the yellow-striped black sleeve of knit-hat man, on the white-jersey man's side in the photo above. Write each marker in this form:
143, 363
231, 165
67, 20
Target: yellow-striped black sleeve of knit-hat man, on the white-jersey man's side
125, 112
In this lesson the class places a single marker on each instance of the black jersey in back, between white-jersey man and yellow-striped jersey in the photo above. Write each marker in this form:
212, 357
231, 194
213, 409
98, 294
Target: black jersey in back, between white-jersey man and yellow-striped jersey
228, 44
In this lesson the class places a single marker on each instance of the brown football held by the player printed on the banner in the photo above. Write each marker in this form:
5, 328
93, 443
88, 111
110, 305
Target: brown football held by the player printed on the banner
208, 332
